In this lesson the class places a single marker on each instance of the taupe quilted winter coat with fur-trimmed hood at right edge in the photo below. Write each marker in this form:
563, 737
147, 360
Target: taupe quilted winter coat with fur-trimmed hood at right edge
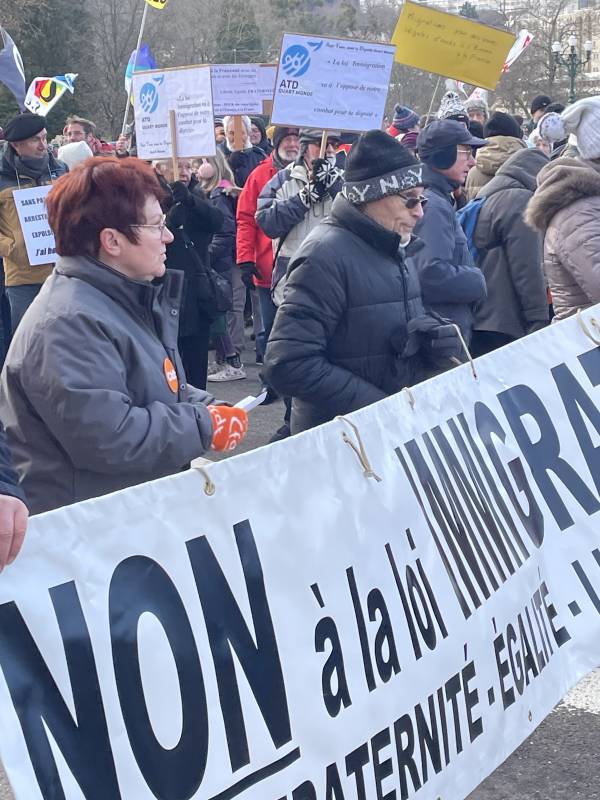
566, 207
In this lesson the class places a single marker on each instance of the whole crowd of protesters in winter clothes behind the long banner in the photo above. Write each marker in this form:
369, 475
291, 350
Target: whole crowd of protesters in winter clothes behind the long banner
366, 264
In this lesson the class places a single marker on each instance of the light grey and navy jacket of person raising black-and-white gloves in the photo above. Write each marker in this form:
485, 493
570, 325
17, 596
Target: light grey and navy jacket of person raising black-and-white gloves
286, 218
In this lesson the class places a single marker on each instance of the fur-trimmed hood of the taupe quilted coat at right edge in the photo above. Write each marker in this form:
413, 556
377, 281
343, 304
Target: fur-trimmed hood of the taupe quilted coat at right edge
560, 184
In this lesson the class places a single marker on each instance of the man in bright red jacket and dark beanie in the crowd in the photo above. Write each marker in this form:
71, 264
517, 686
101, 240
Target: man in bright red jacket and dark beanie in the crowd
254, 251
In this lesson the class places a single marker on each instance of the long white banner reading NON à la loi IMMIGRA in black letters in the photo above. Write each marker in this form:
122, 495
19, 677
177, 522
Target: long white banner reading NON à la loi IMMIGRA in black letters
320, 634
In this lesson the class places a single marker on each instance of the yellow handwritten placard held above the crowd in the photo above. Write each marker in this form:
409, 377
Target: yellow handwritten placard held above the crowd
451, 45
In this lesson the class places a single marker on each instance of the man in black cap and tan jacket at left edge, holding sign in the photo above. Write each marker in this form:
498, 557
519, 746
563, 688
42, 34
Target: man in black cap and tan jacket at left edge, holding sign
25, 163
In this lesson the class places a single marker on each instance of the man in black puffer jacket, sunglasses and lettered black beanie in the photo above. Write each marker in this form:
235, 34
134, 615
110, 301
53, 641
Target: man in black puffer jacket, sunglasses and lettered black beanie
351, 329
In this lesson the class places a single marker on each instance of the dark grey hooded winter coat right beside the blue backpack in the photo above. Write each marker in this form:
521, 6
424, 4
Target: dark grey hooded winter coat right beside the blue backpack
510, 252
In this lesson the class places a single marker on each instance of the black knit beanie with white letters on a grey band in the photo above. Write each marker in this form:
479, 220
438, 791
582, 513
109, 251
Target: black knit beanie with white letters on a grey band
378, 166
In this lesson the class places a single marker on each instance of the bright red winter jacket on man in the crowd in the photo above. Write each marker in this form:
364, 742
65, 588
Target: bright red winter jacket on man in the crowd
251, 242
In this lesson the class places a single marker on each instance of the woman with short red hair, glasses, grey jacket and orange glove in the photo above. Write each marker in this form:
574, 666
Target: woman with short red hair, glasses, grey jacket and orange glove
94, 396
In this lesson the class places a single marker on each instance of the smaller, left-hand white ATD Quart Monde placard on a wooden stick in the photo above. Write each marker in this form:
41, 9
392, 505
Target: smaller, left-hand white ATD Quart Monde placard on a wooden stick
185, 90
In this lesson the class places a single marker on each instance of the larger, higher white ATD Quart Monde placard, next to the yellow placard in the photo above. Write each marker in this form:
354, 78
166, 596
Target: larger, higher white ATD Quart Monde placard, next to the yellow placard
335, 84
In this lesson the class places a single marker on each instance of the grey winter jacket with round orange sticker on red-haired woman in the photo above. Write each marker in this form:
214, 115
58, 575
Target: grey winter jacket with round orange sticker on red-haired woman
88, 397
